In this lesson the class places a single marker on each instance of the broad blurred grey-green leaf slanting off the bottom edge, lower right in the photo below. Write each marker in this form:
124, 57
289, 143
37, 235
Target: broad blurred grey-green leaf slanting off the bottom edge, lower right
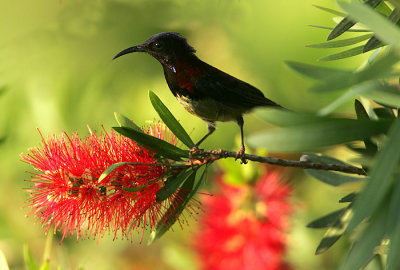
362, 250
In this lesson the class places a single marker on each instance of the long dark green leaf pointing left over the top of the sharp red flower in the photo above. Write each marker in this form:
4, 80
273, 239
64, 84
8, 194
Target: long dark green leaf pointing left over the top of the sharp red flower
160, 147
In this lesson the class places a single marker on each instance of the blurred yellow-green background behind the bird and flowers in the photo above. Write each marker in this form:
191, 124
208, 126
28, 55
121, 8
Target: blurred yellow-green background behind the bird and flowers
57, 75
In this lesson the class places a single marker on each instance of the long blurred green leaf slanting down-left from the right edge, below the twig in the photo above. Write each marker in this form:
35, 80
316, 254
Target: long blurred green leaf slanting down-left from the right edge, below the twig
380, 178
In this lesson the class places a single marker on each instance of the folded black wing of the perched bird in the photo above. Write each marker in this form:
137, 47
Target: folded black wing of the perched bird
229, 90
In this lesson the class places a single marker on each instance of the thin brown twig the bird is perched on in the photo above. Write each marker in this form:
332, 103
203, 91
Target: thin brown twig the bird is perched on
304, 162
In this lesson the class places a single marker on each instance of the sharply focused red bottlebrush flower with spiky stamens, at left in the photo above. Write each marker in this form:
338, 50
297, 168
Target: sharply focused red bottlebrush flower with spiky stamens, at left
66, 192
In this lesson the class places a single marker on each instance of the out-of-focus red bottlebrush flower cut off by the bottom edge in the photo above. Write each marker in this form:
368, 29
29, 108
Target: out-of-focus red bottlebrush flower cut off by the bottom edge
244, 227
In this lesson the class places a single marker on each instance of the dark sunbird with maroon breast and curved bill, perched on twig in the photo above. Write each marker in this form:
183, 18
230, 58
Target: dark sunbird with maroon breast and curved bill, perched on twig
200, 88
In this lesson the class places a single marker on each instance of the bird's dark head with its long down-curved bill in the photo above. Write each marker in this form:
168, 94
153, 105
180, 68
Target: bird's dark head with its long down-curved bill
164, 47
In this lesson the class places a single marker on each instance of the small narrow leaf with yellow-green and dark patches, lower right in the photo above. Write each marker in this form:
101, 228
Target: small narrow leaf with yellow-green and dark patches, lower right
334, 232
